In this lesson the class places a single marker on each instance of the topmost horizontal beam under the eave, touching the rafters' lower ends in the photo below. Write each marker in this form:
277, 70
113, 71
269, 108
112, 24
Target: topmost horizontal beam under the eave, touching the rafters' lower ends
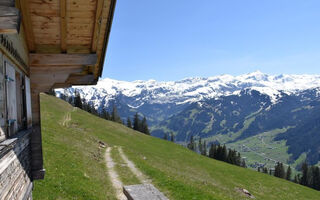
62, 59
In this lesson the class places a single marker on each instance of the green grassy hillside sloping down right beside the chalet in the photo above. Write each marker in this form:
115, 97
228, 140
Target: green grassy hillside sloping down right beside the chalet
76, 170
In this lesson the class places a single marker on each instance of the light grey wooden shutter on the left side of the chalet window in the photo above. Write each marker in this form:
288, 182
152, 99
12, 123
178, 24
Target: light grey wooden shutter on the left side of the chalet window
11, 99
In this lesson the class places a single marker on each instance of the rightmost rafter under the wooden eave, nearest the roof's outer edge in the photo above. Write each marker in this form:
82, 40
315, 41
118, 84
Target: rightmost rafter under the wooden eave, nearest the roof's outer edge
97, 25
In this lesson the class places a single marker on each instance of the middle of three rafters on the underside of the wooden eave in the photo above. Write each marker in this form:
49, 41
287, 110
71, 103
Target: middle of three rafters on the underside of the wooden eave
63, 26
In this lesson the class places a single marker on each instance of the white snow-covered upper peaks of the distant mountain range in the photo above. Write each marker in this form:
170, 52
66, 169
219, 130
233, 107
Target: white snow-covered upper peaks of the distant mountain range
190, 90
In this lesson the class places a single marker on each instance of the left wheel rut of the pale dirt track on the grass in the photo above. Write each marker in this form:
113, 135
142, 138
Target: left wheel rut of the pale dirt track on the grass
114, 177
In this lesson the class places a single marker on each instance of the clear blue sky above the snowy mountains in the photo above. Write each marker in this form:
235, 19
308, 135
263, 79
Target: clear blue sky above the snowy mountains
173, 39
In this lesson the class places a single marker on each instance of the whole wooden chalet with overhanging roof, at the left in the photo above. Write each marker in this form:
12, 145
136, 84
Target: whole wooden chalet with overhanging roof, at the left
44, 44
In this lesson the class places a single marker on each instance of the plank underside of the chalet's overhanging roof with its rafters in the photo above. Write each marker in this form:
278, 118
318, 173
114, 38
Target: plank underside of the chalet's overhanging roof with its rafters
68, 27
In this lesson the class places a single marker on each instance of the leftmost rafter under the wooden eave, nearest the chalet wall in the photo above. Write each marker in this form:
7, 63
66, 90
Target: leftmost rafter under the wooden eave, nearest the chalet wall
27, 24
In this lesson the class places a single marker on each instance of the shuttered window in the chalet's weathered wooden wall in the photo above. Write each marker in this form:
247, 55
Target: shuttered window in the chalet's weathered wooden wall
15, 100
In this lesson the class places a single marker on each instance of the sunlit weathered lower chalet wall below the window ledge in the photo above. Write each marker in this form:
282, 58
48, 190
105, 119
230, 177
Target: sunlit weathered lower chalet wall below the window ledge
15, 167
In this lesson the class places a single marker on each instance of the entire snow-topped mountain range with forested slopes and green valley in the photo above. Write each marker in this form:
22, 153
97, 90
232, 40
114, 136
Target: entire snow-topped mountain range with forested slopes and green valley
268, 118
